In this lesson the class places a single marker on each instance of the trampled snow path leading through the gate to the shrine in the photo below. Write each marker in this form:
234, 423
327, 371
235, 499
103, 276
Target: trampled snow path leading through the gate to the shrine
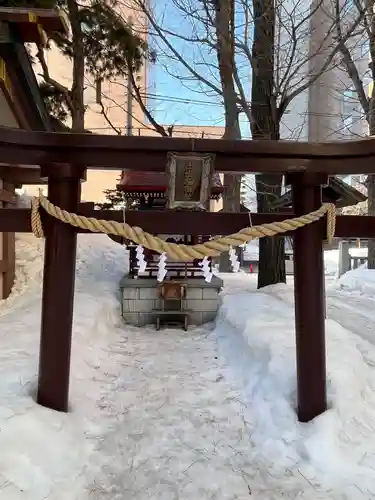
176, 427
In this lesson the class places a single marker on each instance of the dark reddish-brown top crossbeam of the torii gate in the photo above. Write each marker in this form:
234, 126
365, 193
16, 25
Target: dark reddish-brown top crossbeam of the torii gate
149, 153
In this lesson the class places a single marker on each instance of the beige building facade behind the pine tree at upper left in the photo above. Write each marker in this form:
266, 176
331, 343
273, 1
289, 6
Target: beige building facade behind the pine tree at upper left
111, 109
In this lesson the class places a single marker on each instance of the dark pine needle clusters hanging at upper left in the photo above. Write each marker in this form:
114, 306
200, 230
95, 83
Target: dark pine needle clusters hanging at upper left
111, 49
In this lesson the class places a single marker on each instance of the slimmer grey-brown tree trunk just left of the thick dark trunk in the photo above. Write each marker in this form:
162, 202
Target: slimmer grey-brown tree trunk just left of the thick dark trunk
224, 22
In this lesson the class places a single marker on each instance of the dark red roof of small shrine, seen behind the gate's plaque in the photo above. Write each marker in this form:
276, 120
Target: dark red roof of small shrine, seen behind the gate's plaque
155, 181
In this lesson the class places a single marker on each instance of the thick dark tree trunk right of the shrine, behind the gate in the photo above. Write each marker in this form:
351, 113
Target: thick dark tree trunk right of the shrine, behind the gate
265, 125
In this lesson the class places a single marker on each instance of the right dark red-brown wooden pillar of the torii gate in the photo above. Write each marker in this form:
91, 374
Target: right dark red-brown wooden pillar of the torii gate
309, 298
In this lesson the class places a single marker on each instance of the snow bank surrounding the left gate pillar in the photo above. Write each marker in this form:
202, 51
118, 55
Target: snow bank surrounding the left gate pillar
44, 452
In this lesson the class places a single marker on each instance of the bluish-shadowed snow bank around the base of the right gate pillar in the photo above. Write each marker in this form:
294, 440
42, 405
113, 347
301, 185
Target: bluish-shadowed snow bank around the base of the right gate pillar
335, 452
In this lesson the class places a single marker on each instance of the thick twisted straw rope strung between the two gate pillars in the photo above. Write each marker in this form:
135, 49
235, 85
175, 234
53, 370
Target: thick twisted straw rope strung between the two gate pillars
184, 253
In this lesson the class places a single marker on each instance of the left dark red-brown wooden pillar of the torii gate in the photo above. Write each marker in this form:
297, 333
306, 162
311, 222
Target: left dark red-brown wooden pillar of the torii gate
64, 190
